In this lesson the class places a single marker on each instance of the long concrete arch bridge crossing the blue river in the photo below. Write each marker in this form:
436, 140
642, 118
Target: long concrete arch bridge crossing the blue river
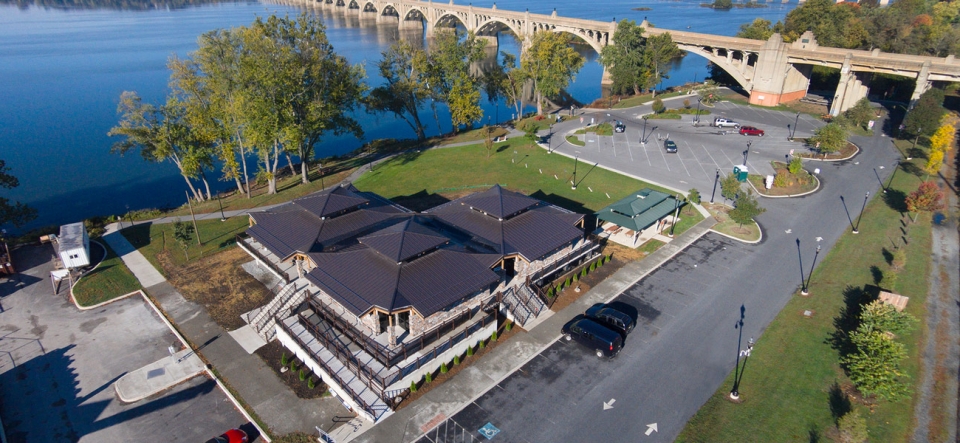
771, 71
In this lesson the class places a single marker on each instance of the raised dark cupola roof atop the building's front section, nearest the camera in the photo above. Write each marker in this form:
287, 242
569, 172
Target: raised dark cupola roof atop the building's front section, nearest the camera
403, 240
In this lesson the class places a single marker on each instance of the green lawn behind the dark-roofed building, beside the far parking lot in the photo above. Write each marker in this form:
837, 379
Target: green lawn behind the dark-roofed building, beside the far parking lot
426, 179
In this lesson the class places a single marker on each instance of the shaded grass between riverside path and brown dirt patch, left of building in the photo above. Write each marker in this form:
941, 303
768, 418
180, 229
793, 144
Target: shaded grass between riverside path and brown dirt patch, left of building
152, 240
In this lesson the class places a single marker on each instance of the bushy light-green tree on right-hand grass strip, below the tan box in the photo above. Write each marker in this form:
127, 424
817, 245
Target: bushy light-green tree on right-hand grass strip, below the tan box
874, 367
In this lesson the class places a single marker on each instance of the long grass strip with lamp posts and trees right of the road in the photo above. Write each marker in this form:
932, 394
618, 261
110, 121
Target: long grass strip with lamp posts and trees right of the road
794, 380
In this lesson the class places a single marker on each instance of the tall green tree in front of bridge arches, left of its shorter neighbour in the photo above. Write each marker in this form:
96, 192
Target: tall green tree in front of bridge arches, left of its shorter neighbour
625, 59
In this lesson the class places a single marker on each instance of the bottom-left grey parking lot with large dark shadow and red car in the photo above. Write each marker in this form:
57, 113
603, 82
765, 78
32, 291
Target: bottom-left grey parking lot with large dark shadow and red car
58, 366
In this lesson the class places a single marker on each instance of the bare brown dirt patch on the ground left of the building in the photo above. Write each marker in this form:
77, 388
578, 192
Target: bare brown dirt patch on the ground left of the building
220, 285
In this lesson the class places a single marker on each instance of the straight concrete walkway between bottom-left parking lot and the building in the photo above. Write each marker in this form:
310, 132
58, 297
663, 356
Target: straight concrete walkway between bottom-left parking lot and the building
249, 377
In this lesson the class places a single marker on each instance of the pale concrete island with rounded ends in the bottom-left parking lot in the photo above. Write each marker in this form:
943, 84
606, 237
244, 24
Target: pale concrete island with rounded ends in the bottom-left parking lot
159, 376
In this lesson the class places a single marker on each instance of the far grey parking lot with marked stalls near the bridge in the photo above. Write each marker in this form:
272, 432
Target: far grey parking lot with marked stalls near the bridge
701, 149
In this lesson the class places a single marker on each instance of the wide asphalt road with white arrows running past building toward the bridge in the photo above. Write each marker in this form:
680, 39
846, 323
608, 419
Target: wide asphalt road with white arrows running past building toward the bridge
688, 309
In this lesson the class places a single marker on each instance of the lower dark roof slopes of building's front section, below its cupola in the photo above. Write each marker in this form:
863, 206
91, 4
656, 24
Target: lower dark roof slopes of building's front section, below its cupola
427, 284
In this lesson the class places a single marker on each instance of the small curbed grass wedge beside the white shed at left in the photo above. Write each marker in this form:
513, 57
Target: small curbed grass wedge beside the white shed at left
109, 280
